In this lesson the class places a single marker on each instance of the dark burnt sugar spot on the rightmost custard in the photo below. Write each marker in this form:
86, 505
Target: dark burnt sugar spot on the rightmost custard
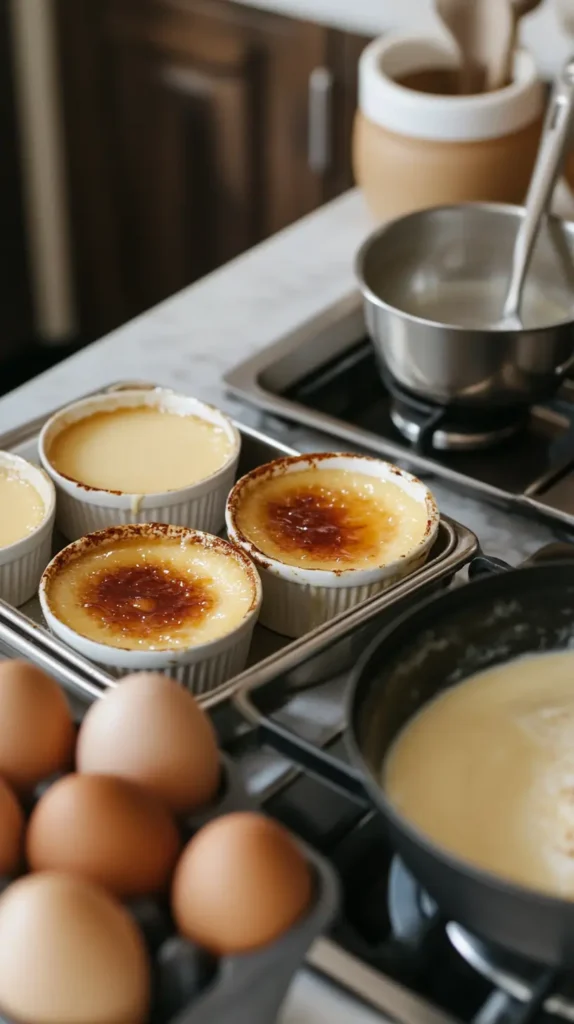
328, 525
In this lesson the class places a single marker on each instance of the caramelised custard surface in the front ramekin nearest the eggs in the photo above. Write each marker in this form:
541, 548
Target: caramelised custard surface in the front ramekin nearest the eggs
152, 594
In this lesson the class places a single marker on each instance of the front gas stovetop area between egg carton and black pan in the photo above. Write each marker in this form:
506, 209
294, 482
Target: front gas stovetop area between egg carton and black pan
391, 947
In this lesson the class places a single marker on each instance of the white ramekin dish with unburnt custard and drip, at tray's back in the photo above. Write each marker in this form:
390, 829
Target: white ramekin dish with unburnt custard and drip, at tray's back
81, 509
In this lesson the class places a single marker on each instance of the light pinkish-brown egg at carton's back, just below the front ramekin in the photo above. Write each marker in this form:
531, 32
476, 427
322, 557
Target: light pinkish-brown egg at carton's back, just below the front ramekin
150, 730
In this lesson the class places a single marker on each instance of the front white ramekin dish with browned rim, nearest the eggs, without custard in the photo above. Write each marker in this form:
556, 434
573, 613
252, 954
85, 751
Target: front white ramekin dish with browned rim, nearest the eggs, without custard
201, 668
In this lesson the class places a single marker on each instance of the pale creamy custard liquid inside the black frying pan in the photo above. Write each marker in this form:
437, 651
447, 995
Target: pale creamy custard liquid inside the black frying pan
488, 772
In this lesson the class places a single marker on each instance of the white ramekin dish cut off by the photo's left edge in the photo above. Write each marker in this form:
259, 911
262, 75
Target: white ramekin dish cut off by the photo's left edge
23, 563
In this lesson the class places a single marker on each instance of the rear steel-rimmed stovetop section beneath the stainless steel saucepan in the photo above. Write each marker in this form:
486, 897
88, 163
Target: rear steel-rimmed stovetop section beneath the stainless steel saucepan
327, 377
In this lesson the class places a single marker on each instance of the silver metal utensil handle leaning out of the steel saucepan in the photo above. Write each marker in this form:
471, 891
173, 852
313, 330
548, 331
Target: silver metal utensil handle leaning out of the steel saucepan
555, 136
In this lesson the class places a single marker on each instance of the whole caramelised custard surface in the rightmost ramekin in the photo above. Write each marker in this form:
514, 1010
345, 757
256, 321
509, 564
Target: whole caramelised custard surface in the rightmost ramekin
331, 520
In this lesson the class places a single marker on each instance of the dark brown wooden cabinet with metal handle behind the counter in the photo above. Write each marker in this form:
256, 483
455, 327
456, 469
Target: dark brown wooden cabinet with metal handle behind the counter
195, 129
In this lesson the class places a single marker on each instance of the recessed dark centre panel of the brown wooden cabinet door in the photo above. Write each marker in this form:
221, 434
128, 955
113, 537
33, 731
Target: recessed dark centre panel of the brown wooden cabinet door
185, 163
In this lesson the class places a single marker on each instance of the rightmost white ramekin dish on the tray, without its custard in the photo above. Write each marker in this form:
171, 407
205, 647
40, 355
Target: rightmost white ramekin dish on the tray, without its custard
297, 601
